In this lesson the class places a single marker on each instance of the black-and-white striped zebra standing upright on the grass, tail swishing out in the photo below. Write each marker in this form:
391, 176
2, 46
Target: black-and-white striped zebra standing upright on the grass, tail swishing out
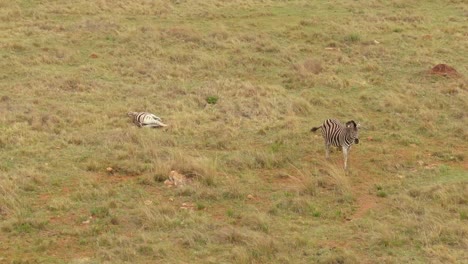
336, 134
